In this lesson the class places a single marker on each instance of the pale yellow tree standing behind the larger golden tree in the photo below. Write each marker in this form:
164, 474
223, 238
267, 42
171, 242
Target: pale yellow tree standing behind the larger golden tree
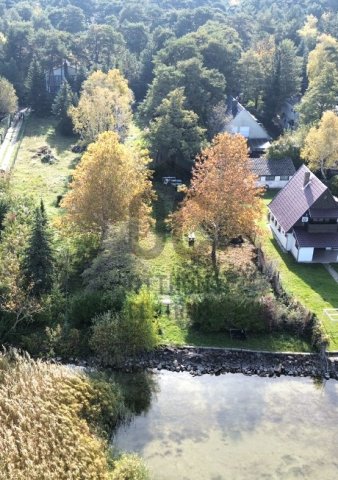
105, 104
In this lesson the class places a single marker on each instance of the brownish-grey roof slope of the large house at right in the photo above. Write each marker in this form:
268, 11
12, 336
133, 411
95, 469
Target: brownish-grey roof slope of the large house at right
294, 200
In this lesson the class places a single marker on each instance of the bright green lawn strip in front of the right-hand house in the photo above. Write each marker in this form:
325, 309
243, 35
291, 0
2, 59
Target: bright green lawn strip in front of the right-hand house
312, 285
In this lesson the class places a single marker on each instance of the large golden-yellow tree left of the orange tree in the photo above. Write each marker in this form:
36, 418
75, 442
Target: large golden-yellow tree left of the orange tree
110, 184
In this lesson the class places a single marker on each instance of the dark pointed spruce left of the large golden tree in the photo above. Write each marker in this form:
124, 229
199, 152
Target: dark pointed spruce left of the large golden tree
38, 261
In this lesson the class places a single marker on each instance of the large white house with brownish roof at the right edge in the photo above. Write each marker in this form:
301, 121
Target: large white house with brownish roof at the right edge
303, 218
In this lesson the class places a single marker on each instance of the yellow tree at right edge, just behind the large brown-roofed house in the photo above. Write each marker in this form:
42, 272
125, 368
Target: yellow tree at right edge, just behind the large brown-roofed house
321, 144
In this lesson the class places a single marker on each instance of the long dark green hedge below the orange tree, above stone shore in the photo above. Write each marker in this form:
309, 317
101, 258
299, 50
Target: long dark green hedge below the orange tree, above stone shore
218, 312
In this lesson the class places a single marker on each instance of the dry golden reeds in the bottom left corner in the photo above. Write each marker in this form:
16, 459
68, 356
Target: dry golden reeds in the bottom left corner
43, 435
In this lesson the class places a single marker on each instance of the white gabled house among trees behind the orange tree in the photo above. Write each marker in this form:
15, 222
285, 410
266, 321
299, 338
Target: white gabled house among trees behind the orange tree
243, 122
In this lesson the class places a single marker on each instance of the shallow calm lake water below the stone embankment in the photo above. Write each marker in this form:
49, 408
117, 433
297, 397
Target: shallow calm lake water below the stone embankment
233, 427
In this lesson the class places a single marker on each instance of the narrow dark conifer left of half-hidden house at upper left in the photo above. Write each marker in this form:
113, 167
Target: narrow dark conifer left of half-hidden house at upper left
37, 96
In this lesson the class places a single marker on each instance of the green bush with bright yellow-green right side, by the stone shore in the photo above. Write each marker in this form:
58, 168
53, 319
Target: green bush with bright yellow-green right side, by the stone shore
116, 336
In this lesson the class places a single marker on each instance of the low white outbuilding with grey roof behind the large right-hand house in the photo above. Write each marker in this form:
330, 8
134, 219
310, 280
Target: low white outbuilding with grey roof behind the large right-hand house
273, 172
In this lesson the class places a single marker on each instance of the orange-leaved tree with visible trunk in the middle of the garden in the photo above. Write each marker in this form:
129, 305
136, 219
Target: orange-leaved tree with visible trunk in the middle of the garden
223, 200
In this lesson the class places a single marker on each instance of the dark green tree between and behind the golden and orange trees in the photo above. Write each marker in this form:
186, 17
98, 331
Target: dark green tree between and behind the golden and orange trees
175, 135
